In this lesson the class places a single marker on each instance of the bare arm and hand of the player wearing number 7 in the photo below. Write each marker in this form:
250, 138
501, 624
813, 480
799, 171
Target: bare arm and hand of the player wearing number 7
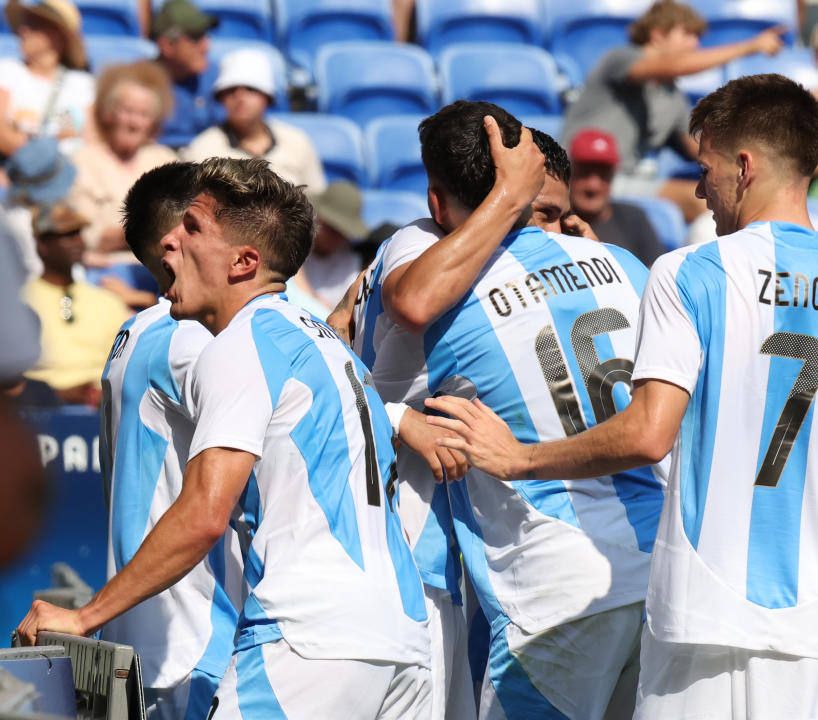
641, 434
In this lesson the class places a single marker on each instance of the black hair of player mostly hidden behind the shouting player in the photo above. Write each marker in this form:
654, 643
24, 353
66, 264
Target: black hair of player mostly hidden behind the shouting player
155, 204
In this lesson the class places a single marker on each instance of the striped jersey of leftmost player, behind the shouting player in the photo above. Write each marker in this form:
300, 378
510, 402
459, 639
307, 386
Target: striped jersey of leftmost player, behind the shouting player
144, 441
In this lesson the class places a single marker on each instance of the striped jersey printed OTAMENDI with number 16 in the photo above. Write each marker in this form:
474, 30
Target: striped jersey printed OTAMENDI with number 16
546, 339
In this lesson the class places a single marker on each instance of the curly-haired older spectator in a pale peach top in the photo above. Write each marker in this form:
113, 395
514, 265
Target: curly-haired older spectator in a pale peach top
132, 100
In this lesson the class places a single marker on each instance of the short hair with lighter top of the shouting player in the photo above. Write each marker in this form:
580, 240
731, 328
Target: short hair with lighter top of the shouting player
261, 209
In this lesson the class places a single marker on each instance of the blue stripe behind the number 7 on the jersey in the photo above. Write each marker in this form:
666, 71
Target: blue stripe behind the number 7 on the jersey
775, 519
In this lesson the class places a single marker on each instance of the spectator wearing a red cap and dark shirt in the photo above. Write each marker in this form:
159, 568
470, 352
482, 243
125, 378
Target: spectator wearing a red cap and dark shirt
594, 159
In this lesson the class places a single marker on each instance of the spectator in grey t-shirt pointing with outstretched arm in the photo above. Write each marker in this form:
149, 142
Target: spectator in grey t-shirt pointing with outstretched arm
631, 94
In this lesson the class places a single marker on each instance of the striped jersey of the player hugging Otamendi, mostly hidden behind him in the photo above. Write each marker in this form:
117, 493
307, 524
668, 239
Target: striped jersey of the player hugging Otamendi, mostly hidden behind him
398, 365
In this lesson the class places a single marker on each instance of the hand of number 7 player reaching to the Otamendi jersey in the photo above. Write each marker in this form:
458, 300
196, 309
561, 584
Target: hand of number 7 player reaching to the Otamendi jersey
482, 436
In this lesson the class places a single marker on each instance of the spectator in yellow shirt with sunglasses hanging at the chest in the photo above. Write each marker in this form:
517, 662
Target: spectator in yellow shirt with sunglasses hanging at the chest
79, 321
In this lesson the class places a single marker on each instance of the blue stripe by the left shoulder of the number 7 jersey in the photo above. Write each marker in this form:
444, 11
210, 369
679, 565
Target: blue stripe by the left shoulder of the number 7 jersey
701, 283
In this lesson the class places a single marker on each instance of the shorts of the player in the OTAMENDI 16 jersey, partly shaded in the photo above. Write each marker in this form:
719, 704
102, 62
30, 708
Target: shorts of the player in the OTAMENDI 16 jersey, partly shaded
583, 670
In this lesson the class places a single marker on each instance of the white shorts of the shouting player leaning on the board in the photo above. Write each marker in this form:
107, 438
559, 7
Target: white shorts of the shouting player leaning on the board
272, 682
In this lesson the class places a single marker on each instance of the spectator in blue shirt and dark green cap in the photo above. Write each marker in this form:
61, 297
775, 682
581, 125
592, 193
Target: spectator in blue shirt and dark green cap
180, 31
